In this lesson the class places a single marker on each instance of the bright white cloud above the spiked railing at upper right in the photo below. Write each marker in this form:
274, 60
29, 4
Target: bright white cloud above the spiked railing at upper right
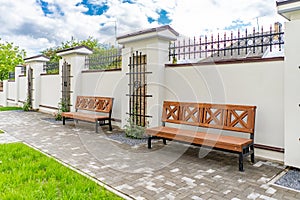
218, 14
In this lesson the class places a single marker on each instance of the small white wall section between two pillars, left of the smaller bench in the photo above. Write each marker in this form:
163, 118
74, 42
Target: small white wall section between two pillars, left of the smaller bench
50, 90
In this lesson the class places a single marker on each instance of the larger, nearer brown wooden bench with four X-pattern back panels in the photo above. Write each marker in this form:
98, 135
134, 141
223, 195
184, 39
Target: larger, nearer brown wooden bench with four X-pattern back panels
233, 118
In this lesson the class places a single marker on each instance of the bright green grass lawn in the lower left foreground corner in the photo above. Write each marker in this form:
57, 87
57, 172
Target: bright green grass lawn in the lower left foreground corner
28, 174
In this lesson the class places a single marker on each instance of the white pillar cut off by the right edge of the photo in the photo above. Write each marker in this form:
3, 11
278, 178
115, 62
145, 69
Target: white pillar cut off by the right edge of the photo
291, 11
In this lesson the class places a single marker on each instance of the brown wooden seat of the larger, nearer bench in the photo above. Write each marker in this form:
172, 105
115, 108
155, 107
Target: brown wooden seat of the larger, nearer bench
200, 138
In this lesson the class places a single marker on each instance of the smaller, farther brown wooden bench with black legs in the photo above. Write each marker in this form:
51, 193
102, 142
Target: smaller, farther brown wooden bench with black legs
89, 108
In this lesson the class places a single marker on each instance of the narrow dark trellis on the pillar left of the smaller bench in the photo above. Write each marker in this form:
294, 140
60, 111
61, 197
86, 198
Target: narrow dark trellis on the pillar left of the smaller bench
66, 86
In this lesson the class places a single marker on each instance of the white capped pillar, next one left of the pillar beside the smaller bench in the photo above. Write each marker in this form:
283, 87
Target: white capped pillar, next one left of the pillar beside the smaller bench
37, 64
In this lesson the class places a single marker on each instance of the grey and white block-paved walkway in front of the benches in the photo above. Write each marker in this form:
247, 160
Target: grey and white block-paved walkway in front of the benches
142, 173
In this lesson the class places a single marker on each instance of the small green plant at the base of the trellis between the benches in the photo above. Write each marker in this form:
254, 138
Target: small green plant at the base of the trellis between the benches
132, 130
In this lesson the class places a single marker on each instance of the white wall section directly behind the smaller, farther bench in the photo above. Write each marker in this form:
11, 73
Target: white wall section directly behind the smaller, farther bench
107, 84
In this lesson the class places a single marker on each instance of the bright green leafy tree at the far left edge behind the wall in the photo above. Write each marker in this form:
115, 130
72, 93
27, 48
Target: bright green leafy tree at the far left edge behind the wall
10, 57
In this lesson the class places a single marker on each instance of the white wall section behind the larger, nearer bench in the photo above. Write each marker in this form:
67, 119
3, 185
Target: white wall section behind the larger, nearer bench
256, 83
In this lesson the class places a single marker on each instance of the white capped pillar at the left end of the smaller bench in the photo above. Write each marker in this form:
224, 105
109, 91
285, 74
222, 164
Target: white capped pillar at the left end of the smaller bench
76, 58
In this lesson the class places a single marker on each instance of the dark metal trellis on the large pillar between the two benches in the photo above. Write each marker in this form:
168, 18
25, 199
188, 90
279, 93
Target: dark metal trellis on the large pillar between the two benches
138, 89
